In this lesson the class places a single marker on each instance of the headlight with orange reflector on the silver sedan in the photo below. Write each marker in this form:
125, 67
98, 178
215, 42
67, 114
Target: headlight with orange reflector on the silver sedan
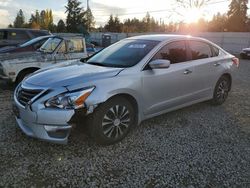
70, 100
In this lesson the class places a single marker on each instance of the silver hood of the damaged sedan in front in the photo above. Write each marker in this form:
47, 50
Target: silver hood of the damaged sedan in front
71, 75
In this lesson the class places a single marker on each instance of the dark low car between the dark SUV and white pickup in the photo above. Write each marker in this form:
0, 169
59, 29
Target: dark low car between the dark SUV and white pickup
29, 46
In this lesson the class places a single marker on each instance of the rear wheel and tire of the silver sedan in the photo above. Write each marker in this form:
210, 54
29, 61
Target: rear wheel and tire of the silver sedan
221, 90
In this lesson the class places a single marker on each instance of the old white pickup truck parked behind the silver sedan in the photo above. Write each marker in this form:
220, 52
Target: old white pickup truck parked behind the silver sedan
57, 51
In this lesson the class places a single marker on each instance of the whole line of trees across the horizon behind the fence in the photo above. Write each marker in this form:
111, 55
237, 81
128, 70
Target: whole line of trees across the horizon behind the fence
79, 20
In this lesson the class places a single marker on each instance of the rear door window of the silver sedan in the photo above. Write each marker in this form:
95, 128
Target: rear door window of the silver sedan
199, 50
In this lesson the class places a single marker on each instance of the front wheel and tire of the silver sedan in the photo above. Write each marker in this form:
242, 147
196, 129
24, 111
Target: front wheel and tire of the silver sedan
112, 121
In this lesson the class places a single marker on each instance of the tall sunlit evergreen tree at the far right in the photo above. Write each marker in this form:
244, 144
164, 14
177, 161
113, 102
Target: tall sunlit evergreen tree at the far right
237, 15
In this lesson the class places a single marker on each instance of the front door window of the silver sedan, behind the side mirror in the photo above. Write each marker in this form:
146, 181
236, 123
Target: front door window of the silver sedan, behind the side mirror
175, 52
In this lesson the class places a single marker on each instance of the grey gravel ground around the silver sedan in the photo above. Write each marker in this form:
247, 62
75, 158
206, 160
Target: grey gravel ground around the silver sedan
198, 146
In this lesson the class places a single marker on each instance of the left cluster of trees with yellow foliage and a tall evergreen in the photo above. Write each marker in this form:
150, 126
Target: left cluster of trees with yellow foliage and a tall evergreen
78, 20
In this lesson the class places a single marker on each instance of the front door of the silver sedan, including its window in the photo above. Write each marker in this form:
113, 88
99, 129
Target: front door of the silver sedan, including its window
164, 89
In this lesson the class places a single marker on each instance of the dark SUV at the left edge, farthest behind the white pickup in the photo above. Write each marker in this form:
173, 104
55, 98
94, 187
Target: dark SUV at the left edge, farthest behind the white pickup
16, 36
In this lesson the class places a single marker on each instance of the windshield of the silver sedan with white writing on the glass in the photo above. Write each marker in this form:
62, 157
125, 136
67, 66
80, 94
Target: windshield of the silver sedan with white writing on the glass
125, 53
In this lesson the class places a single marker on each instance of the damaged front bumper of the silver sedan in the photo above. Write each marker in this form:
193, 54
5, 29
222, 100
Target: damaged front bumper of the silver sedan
47, 124
